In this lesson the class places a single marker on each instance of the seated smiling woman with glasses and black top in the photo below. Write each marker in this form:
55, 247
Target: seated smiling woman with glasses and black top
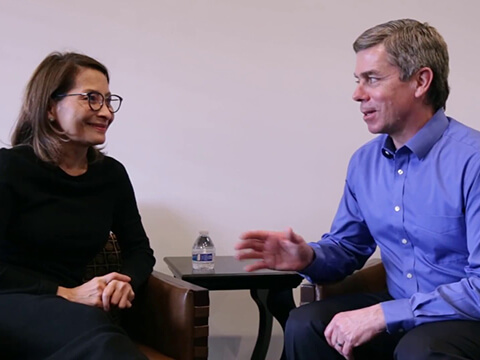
59, 198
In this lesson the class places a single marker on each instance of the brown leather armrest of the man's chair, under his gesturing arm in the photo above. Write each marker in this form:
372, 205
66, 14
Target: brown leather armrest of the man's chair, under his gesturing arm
371, 278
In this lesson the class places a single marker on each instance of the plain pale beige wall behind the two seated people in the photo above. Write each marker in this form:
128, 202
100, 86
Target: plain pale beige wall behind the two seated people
237, 114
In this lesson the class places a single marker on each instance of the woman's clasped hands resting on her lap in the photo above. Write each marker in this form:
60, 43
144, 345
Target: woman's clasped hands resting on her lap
102, 291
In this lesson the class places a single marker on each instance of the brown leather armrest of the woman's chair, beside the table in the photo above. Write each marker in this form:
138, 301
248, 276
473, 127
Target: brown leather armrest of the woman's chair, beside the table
171, 316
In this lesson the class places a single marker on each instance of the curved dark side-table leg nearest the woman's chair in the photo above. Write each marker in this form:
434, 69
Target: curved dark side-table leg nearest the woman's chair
260, 297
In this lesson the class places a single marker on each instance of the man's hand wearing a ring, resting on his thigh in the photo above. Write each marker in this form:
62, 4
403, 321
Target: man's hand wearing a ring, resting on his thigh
350, 329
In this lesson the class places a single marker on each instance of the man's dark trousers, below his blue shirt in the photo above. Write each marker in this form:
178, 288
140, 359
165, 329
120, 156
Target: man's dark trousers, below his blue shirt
439, 340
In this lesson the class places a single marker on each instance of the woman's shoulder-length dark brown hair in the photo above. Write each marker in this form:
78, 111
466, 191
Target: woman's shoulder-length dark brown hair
55, 75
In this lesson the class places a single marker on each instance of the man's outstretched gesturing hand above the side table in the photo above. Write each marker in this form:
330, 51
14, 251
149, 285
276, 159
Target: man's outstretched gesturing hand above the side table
276, 250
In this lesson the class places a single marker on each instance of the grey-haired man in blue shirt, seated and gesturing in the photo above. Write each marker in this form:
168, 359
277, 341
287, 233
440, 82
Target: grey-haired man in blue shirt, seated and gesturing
415, 192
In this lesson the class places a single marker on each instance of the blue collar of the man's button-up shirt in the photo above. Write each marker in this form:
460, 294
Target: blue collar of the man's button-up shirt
421, 143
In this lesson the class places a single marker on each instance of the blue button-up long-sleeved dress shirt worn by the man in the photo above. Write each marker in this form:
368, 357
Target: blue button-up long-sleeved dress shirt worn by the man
421, 205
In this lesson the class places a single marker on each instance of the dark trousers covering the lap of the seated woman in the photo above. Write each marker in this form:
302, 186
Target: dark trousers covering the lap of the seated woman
50, 327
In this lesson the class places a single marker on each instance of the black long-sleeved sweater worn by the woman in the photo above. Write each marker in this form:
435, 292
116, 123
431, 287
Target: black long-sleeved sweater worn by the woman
52, 224
